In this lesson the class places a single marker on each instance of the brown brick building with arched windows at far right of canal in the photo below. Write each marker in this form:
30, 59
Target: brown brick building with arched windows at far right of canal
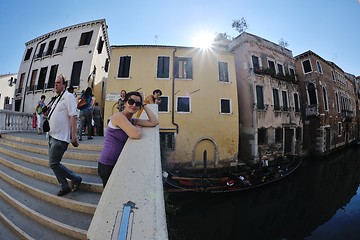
329, 104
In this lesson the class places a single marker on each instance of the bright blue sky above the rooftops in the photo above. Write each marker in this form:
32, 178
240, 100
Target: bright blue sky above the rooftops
329, 28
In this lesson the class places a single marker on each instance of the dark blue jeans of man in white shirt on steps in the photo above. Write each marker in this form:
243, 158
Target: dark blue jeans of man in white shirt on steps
57, 149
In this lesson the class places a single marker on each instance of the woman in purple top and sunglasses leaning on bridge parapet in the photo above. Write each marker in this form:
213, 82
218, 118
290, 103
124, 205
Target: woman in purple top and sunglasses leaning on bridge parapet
120, 127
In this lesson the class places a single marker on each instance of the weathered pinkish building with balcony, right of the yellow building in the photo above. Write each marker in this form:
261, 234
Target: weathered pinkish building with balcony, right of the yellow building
269, 99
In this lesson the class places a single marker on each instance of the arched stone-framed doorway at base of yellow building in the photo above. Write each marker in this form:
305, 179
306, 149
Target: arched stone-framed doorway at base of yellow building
212, 153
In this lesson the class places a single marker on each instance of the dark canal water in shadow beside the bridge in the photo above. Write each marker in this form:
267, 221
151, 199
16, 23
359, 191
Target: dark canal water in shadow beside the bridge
321, 200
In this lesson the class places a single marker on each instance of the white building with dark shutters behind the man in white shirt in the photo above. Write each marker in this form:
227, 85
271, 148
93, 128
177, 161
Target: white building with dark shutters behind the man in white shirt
80, 52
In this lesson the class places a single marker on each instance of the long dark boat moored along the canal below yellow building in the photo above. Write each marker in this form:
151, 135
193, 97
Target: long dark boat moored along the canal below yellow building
232, 181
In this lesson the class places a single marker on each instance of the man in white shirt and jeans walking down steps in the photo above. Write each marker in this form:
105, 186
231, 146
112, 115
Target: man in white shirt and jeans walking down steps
63, 115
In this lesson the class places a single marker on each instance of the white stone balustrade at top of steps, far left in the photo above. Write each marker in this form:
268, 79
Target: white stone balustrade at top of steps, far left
11, 121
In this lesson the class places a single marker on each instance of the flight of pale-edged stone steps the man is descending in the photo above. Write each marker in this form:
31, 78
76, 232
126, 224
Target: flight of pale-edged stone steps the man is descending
29, 206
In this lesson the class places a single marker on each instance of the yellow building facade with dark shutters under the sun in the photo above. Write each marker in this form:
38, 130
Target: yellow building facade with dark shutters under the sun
198, 113
